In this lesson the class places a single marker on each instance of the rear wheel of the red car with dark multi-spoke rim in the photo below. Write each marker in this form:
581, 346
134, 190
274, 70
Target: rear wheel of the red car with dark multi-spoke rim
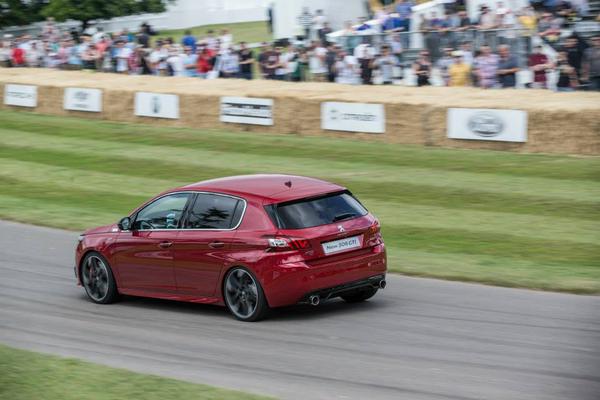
243, 295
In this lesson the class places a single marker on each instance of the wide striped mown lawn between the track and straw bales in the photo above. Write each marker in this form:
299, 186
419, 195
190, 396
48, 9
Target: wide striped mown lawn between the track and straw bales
493, 217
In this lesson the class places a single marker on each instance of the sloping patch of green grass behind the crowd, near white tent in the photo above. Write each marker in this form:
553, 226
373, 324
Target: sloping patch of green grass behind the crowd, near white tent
251, 32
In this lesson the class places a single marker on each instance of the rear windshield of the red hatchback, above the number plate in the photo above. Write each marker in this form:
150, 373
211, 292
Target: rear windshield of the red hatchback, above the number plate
316, 211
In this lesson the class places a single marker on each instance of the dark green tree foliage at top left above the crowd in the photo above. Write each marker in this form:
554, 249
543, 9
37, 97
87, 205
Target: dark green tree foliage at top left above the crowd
87, 10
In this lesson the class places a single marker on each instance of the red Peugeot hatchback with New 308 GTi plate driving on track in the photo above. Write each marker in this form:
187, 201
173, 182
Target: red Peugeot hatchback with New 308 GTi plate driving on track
248, 242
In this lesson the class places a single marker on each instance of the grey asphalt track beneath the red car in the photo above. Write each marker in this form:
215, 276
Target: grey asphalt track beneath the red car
418, 339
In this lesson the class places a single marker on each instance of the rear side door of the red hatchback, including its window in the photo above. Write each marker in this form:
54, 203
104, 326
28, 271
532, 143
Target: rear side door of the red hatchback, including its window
203, 246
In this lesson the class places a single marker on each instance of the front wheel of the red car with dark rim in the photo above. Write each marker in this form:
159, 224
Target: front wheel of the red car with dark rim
97, 279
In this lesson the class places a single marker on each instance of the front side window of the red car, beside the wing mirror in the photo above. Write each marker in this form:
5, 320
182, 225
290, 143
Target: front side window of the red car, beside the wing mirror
164, 213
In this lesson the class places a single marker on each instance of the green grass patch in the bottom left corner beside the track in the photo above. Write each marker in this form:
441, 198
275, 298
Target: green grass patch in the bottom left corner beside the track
25, 375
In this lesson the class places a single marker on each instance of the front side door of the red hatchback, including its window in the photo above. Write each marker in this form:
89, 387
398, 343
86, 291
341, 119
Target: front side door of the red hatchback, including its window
144, 255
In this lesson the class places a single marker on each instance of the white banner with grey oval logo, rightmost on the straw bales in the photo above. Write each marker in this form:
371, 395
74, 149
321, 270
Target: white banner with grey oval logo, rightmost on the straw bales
487, 124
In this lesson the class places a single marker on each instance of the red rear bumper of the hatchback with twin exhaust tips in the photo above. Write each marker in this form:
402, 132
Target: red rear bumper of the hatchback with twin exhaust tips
291, 283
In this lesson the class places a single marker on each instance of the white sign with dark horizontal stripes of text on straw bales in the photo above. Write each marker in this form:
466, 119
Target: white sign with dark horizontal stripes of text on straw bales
247, 110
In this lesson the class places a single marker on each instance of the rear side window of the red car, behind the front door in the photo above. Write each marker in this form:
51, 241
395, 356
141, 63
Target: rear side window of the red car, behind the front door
211, 211
